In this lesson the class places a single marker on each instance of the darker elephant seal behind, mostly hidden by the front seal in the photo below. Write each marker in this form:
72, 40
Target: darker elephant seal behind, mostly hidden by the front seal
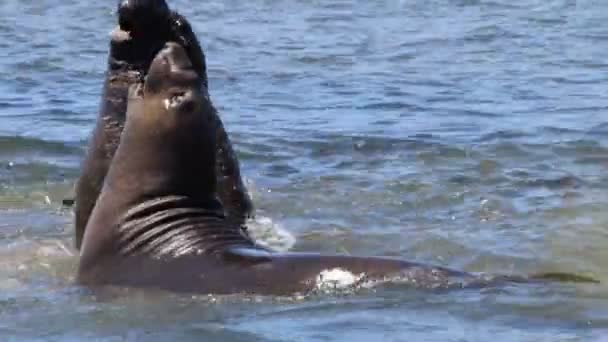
144, 27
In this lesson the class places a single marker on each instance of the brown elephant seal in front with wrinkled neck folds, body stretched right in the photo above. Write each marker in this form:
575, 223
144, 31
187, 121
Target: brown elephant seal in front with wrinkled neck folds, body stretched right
158, 223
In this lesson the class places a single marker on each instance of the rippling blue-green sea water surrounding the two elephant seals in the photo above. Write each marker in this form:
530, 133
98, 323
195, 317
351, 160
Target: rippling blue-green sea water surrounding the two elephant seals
467, 133
